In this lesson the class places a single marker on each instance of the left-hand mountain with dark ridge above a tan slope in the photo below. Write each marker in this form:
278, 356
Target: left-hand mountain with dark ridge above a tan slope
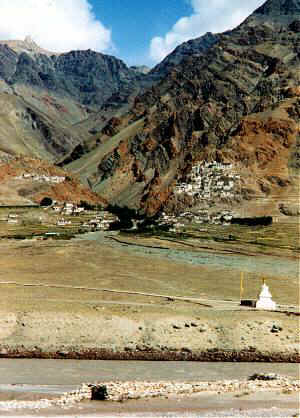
48, 93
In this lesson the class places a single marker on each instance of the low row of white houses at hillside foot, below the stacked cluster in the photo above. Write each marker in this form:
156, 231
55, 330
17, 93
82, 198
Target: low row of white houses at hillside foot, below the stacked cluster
222, 217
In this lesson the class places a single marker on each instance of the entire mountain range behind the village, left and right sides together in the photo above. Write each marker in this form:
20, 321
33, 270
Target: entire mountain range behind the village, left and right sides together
132, 135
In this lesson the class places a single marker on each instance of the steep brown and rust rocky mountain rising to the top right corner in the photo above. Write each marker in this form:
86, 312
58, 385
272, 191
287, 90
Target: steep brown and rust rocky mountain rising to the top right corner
237, 102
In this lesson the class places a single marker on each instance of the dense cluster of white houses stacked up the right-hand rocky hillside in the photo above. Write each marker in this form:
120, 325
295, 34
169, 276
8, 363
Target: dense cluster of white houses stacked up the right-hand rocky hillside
210, 180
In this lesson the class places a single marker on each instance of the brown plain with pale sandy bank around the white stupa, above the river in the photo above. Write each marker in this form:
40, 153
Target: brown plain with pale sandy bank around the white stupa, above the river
83, 299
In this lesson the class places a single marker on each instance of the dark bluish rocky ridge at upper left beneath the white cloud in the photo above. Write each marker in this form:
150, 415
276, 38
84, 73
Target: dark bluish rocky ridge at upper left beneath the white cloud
85, 76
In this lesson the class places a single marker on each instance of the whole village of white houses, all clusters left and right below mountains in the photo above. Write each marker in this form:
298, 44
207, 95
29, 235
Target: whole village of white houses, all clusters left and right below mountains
206, 184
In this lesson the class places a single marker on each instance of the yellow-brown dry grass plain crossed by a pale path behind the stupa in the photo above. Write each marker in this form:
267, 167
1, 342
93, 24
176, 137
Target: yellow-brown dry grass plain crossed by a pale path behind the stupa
90, 264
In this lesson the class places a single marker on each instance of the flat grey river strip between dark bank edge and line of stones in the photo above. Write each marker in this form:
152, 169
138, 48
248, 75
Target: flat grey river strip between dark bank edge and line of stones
74, 372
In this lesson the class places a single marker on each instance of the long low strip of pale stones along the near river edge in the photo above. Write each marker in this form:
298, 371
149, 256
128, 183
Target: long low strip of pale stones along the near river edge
121, 391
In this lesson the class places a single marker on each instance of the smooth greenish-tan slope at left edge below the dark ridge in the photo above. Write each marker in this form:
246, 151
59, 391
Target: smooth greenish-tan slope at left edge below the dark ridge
25, 129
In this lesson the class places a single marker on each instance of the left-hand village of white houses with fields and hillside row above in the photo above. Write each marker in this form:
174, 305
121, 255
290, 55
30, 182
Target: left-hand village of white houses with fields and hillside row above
49, 217
